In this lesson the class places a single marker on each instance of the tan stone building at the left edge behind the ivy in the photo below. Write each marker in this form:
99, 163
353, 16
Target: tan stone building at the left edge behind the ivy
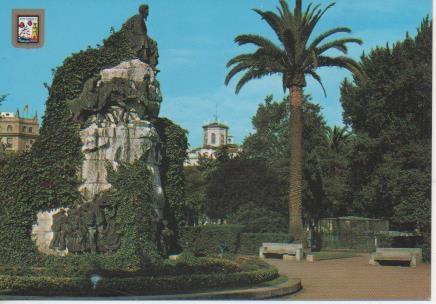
18, 134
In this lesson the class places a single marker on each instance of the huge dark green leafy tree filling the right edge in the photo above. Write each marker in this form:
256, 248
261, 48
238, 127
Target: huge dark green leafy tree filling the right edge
390, 114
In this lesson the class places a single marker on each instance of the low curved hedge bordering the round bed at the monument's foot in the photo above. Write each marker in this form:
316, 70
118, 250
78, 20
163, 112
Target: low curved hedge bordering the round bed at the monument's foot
230, 276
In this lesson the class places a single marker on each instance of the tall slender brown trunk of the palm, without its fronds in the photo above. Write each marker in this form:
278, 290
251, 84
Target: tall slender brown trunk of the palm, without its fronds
295, 191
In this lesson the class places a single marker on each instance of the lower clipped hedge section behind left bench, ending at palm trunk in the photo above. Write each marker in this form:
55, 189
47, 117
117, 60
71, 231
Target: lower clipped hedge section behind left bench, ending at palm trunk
249, 243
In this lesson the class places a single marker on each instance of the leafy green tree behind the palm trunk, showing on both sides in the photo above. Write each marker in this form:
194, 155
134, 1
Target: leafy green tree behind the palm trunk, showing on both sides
270, 143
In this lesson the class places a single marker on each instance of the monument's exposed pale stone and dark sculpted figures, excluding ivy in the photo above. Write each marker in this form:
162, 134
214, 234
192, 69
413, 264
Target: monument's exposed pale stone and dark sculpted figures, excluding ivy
116, 110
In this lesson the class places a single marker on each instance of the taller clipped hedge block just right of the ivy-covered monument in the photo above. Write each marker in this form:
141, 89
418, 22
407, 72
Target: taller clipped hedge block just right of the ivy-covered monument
206, 240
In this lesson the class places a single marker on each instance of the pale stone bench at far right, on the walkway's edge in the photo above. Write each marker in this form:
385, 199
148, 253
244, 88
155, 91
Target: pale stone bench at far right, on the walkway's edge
411, 255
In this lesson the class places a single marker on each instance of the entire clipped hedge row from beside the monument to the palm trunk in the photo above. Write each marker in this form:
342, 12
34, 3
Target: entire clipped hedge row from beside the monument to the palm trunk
205, 240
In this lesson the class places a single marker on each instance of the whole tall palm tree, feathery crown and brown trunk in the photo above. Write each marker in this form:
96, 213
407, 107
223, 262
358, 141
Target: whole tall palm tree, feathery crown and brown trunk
295, 57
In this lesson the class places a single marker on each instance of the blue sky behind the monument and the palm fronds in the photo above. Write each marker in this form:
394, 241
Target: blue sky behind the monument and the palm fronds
195, 39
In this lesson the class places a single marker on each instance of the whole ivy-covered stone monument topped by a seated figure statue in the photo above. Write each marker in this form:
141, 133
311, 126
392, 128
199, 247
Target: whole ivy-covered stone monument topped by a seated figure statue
106, 175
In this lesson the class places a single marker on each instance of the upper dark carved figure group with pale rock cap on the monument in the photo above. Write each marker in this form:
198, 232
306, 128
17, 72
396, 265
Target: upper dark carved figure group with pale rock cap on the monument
125, 92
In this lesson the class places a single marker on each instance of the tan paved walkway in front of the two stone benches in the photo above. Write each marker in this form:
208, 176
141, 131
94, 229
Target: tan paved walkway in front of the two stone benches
354, 278
